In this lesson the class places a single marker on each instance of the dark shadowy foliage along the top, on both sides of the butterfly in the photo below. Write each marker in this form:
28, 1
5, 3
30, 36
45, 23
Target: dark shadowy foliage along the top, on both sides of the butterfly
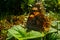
9, 7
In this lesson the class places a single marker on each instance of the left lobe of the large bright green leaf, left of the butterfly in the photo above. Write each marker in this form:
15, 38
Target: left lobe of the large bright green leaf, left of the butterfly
17, 31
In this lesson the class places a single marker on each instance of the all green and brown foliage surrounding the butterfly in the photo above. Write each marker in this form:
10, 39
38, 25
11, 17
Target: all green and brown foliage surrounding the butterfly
9, 9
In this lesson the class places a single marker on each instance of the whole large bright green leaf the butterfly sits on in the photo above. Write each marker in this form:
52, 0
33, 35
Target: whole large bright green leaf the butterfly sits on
20, 33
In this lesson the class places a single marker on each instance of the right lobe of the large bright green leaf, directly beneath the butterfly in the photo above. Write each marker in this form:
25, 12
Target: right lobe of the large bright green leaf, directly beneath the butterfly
34, 34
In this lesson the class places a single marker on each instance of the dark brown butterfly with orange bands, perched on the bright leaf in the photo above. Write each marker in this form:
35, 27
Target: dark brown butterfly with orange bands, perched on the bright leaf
37, 20
